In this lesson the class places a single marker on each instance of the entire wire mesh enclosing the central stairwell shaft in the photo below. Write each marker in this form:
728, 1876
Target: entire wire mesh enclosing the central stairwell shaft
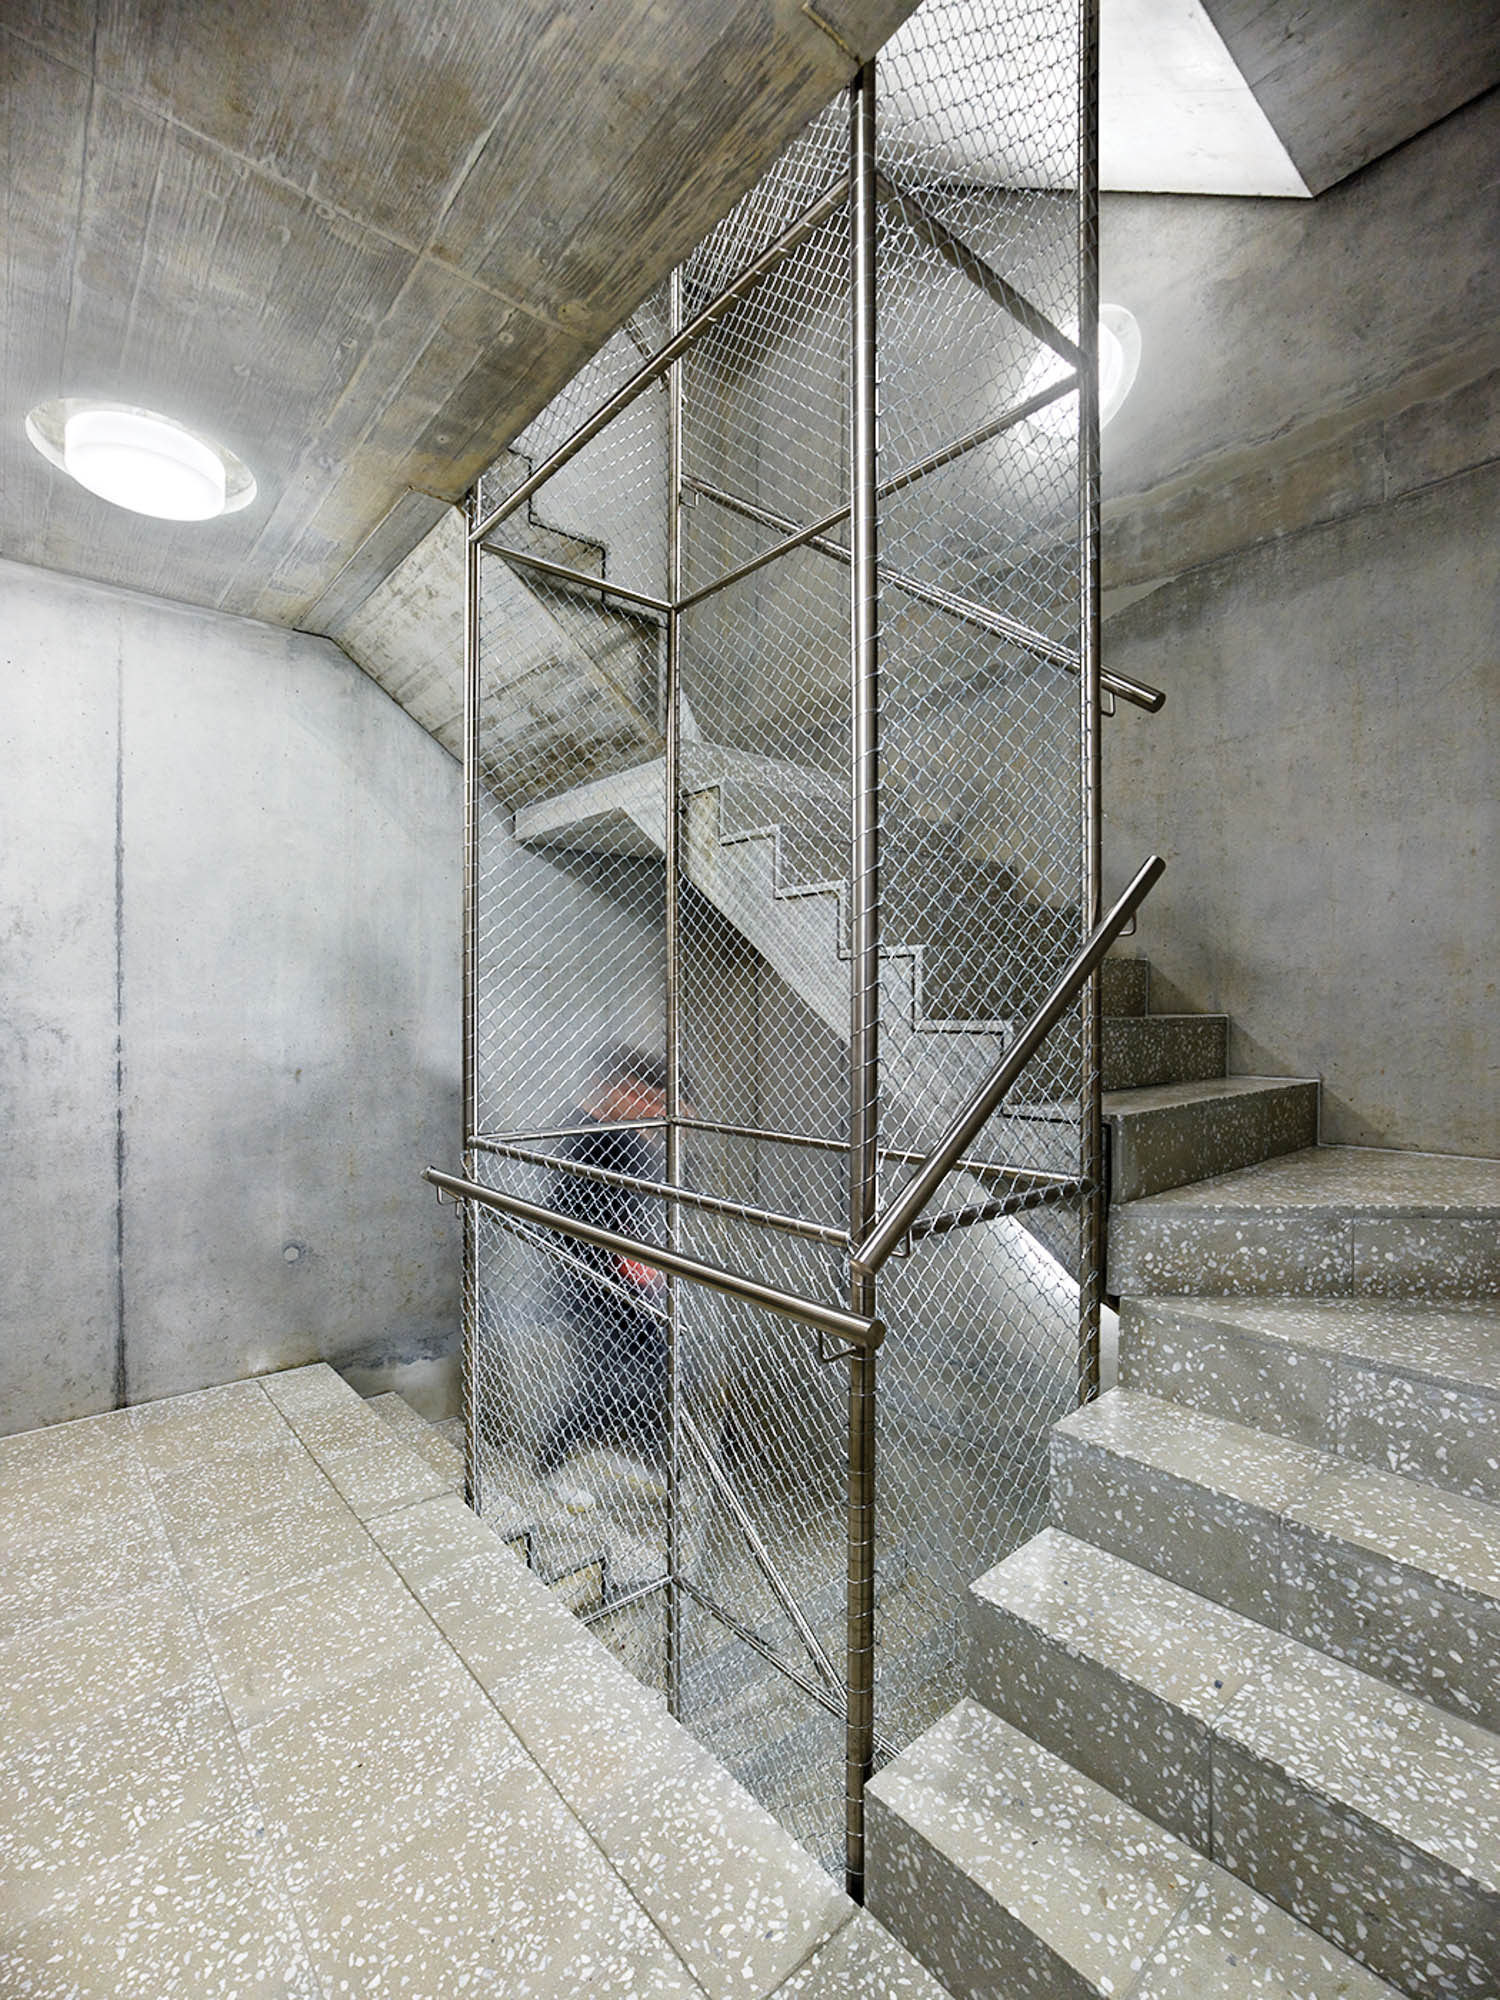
665, 915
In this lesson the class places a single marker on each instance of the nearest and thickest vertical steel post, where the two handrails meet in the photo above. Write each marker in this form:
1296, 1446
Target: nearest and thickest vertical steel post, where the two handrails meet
865, 971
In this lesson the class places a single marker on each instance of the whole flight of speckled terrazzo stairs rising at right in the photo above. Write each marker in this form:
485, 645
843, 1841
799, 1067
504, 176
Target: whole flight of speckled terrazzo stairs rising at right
1233, 1721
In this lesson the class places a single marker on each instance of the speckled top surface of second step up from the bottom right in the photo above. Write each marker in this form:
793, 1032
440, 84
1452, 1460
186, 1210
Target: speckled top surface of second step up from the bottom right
1429, 1779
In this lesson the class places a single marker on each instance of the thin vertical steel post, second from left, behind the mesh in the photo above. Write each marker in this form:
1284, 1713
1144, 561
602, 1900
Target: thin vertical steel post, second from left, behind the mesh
673, 785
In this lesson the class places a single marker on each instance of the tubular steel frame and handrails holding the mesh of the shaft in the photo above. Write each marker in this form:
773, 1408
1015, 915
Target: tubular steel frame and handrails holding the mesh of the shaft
873, 1233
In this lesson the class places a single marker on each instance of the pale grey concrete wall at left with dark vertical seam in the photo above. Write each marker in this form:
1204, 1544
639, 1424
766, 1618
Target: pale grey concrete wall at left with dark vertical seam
229, 1021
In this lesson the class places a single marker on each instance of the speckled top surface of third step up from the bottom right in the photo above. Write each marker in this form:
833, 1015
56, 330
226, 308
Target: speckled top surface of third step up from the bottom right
1451, 1539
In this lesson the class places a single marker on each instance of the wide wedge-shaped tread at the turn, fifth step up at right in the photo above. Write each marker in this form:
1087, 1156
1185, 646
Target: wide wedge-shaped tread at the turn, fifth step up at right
1347, 1181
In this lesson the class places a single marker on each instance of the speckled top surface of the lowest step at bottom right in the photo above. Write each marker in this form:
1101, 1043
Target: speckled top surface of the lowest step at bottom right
1127, 1907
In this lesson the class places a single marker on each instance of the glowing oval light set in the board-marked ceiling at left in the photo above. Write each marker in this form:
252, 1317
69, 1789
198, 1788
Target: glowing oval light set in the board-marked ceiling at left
141, 459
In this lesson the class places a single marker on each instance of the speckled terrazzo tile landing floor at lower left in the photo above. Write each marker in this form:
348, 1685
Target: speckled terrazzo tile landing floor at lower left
285, 1719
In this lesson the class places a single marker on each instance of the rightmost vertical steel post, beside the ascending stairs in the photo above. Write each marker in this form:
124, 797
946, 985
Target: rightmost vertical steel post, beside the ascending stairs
1091, 1165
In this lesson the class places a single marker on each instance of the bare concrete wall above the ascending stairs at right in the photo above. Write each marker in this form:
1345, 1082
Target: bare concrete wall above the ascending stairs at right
1301, 503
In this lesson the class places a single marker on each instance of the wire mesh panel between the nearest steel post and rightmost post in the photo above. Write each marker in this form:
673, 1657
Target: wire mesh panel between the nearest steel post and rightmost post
983, 801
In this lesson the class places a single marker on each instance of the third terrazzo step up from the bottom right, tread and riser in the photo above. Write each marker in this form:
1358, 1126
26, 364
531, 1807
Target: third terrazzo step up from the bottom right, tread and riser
1385, 1573
